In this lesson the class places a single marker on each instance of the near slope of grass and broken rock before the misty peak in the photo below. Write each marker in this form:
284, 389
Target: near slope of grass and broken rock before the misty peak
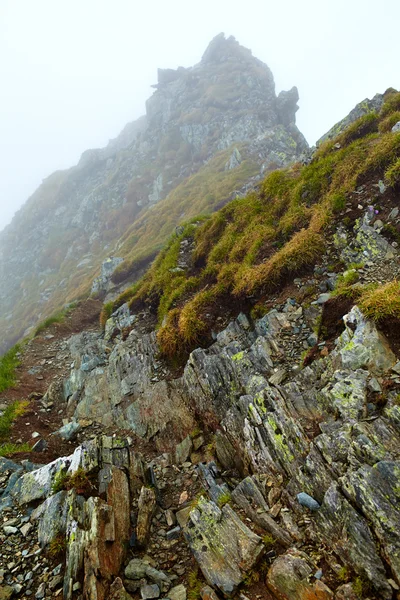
229, 427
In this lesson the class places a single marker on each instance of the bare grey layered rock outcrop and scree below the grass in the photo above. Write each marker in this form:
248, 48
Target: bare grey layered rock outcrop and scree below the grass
278, 480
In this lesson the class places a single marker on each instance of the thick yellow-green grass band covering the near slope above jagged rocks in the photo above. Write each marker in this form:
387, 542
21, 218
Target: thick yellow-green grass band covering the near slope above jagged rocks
254, 244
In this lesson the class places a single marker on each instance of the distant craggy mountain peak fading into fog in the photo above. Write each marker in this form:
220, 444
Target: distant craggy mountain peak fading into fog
209, 134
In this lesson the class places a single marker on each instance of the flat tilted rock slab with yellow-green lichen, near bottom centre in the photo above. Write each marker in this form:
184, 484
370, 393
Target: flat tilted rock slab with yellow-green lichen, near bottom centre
224, 547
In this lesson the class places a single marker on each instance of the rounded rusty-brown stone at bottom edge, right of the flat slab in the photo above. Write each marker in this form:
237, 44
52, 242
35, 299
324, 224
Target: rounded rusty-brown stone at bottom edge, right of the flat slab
288, 578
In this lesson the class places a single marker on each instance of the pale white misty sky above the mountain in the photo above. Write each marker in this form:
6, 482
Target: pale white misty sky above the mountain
74, 72
